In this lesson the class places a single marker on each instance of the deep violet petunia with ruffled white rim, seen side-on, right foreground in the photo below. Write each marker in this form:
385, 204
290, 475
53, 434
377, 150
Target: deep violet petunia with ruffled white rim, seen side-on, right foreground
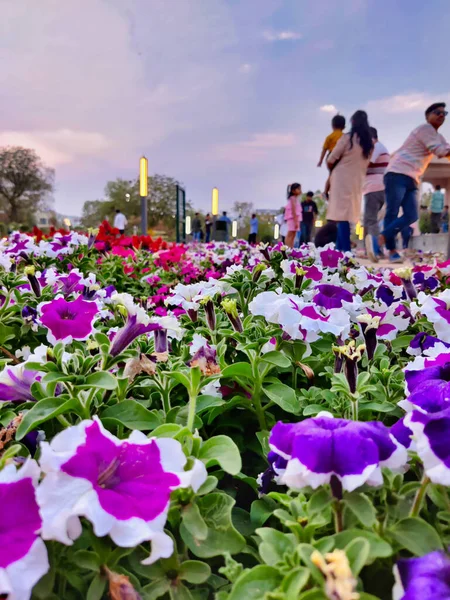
321, 448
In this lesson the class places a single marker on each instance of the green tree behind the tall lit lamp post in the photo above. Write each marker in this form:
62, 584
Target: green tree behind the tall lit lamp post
124, 195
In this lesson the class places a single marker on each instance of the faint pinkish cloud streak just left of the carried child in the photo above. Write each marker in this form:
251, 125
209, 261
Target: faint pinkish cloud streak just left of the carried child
255, 149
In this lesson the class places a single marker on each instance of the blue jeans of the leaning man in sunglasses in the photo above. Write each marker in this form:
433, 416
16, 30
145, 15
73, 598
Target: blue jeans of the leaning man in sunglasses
401, 191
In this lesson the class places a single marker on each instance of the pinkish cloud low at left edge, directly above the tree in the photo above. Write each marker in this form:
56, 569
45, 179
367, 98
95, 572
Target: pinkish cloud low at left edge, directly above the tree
58, 147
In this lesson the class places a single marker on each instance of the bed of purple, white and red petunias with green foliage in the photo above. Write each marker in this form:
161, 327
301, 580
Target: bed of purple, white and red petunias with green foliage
220, 421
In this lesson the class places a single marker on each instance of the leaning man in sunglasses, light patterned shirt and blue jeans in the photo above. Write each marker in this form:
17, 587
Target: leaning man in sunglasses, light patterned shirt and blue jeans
404, 171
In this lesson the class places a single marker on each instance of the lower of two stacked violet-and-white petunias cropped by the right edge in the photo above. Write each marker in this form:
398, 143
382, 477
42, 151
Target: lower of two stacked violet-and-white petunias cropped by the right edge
431, 433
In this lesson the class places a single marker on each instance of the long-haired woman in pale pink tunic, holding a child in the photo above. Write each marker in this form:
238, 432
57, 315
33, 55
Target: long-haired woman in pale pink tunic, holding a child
353, 151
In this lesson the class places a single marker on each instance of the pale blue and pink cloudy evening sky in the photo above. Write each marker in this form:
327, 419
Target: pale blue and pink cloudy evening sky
236, 94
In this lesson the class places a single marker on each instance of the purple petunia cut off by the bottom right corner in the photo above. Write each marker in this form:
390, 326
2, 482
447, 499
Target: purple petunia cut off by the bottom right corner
423, 578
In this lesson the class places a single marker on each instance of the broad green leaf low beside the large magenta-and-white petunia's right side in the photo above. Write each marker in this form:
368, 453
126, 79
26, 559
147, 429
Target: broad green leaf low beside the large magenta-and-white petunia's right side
222, 536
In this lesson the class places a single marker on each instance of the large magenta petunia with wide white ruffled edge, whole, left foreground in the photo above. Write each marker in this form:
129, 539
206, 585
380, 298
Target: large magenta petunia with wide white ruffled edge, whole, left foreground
122, 487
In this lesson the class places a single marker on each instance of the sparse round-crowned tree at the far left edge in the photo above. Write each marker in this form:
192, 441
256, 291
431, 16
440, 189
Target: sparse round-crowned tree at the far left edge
24, 181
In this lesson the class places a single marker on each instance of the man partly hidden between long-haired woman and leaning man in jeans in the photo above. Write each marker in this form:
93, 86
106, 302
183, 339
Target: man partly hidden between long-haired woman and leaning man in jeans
373, 191
